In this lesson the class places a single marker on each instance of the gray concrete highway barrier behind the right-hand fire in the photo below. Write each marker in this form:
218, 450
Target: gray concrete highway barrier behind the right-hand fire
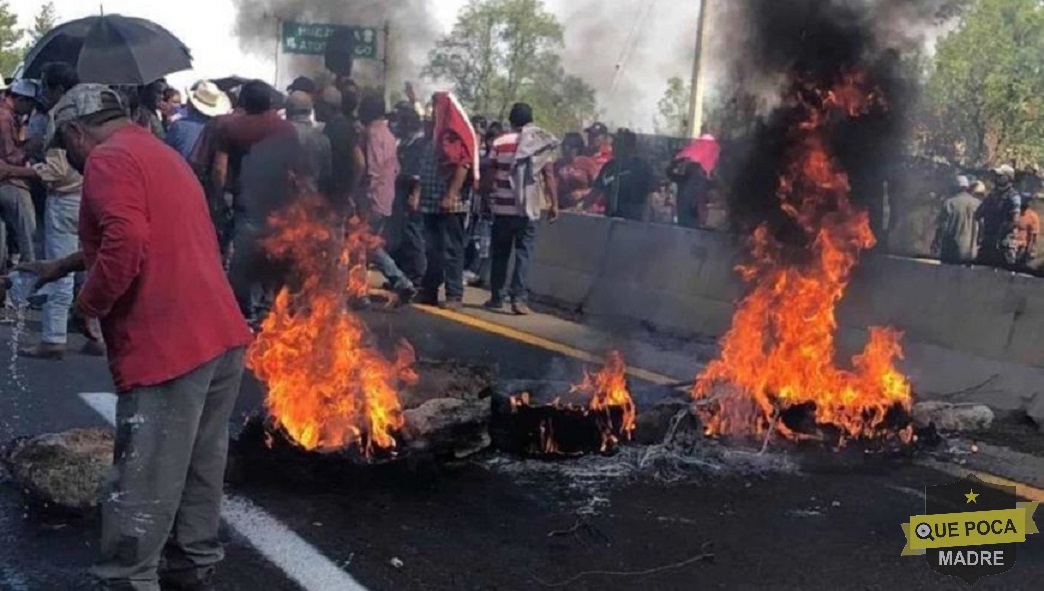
970, 334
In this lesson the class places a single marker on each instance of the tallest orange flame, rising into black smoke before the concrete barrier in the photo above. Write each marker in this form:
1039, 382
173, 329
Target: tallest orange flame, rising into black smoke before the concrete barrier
780, 350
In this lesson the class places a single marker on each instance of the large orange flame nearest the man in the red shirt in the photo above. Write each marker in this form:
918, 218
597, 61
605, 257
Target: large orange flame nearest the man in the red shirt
328, 388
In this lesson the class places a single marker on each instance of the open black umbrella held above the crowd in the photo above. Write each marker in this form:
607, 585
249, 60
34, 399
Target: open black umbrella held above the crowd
111, 50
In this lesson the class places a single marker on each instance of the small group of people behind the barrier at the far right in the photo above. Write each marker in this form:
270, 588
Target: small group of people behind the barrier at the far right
990, 227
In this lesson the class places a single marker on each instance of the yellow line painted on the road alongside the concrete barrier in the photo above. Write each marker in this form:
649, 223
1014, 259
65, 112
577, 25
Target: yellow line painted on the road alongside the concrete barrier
1024, 490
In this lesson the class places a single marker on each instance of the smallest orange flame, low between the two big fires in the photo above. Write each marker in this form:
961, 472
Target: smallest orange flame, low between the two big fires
610, 406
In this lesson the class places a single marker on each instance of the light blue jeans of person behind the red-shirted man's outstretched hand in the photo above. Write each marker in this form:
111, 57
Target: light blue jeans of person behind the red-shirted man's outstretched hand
61, 240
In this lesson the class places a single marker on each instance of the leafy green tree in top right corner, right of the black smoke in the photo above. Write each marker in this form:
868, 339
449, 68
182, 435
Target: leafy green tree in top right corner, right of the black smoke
985, 98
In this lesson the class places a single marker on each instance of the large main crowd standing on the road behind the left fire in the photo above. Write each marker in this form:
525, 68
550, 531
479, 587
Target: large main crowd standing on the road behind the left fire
367, 159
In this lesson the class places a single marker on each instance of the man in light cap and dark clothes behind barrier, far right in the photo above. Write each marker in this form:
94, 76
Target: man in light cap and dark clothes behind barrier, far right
1000, 217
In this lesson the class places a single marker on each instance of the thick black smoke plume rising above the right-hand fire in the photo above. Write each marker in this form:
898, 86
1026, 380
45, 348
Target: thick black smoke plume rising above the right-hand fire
774, 45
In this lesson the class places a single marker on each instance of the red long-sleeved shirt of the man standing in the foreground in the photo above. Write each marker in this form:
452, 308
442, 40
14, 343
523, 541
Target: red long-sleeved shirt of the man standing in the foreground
155, 276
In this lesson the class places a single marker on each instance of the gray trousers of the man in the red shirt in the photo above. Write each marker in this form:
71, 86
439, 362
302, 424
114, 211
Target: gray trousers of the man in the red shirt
163, 501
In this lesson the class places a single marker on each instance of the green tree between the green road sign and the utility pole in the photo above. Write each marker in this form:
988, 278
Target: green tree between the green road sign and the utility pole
503, 52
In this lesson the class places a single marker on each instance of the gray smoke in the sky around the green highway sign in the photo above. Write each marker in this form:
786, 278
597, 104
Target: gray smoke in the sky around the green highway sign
414, 32
